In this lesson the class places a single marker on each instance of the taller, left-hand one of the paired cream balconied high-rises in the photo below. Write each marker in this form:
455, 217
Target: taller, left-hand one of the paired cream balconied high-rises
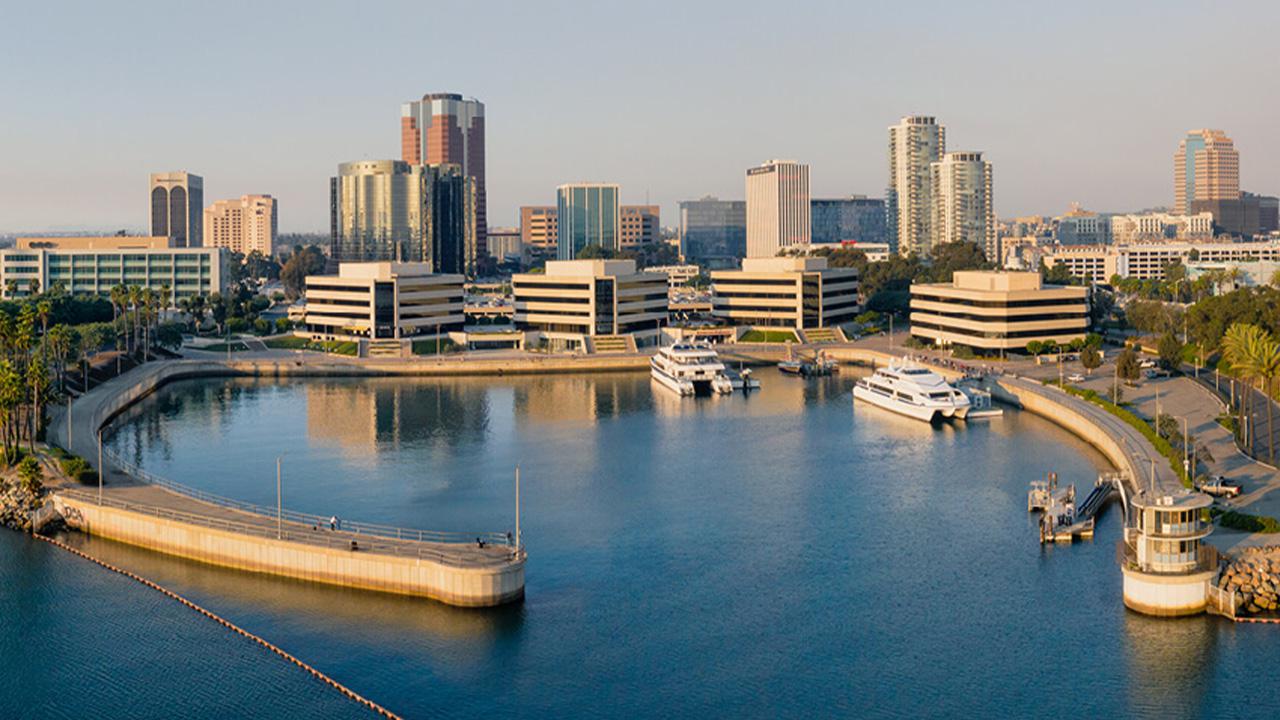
915, 145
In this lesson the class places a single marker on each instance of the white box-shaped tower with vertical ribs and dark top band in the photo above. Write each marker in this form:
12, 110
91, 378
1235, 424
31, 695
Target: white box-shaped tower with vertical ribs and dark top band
778, 208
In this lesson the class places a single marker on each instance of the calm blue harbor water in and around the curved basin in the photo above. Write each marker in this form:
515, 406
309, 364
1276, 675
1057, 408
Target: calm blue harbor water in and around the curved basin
776, 555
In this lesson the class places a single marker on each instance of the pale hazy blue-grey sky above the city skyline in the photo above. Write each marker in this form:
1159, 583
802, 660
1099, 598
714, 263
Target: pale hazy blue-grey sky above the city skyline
1072, 102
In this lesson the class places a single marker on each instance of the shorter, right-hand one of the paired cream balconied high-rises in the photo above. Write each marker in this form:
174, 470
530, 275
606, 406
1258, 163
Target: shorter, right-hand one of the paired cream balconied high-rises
963, 208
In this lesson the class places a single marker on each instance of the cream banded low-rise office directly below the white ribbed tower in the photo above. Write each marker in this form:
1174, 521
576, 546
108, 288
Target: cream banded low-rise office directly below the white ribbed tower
785, 293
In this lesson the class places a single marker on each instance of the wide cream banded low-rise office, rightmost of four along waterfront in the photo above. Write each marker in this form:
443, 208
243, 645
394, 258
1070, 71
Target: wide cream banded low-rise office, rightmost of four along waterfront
998, 311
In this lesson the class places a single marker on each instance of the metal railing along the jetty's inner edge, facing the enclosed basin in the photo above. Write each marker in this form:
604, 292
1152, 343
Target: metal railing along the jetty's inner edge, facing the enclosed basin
390, 532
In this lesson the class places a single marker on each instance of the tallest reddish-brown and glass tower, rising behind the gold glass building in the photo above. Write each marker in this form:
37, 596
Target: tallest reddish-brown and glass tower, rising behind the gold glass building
445, 127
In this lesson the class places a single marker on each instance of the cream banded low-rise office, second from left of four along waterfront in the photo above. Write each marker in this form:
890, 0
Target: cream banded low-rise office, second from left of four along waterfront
578, 304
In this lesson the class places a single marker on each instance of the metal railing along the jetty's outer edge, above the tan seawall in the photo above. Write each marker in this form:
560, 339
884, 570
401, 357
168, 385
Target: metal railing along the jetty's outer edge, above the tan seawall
291, 534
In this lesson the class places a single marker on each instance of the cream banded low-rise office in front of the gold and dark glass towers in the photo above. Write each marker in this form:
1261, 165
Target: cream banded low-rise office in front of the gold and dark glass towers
388, 302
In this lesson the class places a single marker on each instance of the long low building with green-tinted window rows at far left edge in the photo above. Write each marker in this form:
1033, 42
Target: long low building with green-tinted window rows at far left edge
94, 266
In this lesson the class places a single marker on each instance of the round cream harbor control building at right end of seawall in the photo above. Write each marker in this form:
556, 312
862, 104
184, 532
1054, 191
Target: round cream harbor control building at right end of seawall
1167, 568
